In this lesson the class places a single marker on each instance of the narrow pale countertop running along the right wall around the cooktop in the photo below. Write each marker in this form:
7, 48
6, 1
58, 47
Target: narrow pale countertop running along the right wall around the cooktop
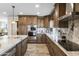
68, 53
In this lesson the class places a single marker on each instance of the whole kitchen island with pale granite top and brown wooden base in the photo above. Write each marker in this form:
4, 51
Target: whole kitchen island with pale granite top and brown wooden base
9, 45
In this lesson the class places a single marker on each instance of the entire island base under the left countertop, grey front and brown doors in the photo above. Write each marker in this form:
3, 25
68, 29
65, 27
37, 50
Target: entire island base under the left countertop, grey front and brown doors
18, 50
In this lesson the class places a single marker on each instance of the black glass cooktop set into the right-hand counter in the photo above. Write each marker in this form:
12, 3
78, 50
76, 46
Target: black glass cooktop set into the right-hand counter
68, 45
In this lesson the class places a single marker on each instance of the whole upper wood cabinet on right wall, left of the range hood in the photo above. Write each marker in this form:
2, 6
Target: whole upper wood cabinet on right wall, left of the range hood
59, 11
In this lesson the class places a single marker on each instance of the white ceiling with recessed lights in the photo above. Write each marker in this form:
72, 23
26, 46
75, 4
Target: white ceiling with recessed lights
26, 8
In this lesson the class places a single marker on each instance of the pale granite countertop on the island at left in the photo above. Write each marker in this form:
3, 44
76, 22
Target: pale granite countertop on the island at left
8, 42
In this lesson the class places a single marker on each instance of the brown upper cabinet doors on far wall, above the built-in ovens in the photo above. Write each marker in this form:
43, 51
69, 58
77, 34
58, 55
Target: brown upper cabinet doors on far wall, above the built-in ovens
27, 20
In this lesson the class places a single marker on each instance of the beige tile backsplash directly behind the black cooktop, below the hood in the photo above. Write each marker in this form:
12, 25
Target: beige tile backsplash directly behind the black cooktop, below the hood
73, 35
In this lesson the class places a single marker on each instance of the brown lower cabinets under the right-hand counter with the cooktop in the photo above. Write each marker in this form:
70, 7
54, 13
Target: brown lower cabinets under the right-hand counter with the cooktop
54, 50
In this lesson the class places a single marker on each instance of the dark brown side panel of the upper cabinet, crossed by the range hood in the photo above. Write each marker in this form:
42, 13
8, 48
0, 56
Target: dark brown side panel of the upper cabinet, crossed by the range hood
62, 12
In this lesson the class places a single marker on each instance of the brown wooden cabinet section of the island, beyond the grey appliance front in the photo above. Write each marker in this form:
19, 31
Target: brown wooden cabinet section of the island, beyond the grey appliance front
21, 48
